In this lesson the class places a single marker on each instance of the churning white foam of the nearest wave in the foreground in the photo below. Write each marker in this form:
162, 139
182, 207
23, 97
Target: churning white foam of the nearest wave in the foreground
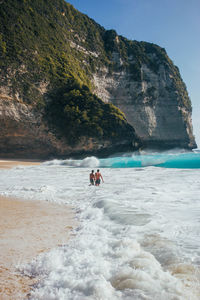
122, 270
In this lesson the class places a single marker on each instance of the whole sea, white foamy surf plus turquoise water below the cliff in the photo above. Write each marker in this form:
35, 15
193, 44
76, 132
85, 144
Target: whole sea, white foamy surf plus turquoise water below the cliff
138, 233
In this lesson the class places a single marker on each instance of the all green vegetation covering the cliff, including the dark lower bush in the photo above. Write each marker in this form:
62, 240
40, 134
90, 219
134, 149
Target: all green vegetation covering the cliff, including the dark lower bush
47, 45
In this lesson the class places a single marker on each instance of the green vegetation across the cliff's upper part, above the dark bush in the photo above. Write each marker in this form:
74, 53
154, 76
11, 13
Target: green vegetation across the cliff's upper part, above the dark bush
50, 41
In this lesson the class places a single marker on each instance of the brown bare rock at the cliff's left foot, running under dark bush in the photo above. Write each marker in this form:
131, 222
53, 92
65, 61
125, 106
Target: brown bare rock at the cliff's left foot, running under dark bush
25, 134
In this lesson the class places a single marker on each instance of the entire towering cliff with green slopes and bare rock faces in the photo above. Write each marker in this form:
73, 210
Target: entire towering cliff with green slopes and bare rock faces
71, 88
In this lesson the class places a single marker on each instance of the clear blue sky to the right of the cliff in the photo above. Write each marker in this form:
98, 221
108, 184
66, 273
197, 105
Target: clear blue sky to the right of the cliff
171, 24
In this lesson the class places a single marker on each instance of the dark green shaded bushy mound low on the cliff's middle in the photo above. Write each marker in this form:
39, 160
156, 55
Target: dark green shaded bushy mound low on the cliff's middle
76, 112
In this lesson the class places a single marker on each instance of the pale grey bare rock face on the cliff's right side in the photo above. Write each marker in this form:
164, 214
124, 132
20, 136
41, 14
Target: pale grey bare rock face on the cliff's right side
152, 106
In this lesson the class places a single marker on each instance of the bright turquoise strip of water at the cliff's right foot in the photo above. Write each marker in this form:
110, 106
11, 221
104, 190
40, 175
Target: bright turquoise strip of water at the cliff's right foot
178, 160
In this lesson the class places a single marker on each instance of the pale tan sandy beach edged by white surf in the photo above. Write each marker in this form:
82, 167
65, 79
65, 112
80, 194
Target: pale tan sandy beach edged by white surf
26, 230
